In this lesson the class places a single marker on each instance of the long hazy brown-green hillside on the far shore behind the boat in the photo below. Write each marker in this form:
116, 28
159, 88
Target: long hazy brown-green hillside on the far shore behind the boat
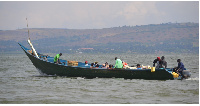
163, 38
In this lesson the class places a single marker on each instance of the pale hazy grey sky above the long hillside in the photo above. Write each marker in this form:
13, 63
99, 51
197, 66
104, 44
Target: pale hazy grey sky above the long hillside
94, 14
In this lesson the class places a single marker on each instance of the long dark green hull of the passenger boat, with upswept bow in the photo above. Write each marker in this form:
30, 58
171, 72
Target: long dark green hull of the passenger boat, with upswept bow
50, 68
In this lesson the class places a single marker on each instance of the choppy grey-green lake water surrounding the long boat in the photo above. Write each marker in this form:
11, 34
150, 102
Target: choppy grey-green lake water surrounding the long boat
20, 83
